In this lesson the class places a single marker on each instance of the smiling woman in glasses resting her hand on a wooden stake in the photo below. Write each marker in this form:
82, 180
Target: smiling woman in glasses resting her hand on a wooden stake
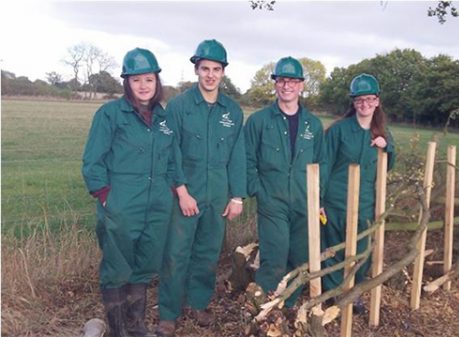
355, 139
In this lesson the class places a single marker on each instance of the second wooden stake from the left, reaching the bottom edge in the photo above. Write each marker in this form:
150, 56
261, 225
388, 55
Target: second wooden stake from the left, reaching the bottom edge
352, 217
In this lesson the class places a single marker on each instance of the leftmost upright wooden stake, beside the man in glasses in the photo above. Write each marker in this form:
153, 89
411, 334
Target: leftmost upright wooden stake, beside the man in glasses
315, 288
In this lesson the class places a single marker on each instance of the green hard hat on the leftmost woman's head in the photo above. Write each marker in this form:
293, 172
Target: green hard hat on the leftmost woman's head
139, 61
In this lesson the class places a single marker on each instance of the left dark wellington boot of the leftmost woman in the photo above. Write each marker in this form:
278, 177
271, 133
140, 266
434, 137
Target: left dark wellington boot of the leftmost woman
114, 300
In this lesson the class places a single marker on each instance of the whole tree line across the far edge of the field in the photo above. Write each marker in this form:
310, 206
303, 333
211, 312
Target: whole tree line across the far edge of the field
415, 89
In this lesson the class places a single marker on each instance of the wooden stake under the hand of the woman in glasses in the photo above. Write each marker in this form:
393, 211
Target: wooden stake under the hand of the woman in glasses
378, 253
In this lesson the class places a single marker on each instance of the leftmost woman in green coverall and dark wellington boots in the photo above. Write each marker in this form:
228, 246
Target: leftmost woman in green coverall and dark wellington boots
129, 165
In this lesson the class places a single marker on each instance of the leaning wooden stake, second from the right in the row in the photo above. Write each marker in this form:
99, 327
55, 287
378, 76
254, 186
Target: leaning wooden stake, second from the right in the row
419, 262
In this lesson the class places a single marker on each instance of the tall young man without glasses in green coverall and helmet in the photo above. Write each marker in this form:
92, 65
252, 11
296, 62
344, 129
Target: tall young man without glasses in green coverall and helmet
211, 140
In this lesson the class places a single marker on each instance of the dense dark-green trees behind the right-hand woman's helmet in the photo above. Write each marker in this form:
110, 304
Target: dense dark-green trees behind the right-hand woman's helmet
414, 89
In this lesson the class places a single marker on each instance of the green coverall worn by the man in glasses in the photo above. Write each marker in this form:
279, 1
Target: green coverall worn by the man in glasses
278, 182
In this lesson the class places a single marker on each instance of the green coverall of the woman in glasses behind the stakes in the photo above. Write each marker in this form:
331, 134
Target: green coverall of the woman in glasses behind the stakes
347, 143
